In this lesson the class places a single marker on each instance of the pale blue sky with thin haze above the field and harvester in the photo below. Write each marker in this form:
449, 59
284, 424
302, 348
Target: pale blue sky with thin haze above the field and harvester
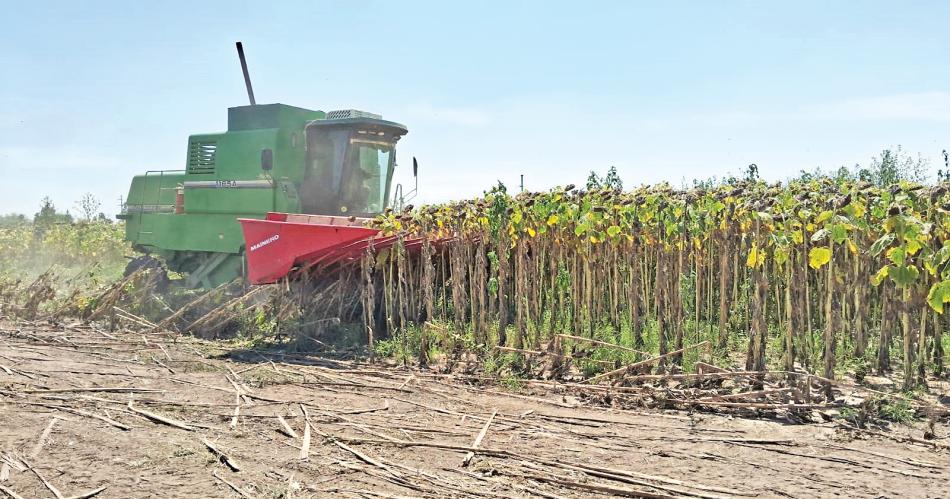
93, 92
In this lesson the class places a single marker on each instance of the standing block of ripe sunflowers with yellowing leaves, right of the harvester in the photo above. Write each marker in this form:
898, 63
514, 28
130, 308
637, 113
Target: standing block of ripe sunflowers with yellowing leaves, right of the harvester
799, 273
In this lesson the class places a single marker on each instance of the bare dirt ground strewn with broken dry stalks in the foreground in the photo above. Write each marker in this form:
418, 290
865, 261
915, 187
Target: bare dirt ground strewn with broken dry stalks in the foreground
125, 415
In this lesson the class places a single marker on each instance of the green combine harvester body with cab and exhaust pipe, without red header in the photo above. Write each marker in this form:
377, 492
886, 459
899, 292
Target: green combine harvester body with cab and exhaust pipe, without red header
272, 158
